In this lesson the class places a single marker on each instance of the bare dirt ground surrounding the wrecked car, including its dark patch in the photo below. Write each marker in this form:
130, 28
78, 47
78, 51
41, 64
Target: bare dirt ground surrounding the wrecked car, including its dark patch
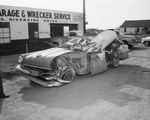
121, 93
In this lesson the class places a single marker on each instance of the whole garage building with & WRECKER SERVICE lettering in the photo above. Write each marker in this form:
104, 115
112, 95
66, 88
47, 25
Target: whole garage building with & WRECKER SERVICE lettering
26, 29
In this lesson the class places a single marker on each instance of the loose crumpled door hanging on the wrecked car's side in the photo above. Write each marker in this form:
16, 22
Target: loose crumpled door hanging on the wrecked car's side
98, 63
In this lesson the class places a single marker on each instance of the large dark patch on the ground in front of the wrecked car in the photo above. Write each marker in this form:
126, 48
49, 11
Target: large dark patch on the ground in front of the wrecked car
87, 90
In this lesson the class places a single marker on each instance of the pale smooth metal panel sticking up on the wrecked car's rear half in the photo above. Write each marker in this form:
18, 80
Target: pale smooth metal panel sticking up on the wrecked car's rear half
103, 39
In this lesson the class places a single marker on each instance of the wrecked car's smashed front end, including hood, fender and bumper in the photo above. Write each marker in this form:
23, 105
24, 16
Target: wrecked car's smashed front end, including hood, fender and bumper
49, 72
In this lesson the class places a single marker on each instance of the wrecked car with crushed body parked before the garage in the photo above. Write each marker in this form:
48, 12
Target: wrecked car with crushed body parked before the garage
79, 56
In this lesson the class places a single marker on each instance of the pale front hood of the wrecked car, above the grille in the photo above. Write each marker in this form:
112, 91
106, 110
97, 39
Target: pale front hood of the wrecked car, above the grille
43, 58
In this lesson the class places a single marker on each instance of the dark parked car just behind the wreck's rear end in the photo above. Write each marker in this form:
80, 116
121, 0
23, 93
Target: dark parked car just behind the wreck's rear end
129, 40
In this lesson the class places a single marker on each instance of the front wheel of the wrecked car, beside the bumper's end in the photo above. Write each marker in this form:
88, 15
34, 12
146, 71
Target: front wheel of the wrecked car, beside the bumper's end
69, 75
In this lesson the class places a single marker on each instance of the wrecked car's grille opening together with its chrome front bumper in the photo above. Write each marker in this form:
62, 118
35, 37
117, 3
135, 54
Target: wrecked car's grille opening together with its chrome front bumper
44, 77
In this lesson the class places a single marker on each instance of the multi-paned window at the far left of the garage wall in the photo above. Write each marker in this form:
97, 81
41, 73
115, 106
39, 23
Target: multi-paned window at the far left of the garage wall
4, 32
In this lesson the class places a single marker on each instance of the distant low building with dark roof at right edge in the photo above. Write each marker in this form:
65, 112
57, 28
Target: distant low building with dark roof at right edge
136, 27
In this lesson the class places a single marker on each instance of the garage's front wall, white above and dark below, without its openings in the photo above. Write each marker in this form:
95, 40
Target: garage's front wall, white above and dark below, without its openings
19, 19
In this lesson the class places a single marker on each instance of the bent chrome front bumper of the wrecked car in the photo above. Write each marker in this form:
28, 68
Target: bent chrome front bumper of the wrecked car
52, 81
